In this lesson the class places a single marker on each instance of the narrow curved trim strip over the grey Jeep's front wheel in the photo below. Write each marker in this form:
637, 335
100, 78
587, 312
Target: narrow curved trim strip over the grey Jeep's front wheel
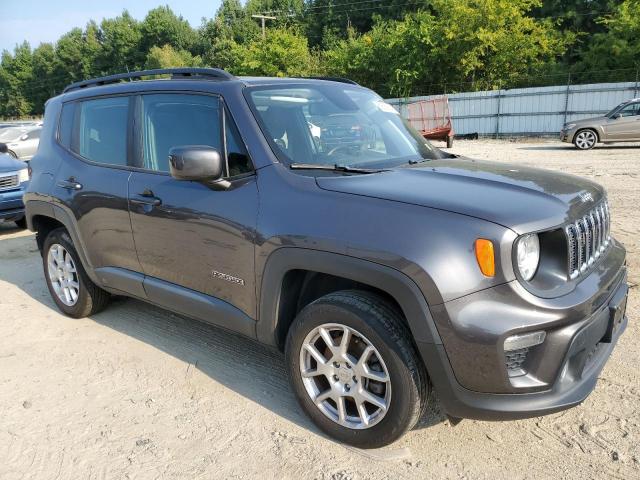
394, 282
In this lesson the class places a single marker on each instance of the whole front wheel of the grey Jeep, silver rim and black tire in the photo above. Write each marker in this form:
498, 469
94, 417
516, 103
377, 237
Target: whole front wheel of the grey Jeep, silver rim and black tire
354, 368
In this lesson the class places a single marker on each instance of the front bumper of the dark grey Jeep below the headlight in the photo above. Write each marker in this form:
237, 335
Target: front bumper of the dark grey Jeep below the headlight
469, 370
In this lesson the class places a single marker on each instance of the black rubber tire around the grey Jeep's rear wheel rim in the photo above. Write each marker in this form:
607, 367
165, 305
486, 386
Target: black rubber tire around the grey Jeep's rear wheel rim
91, 298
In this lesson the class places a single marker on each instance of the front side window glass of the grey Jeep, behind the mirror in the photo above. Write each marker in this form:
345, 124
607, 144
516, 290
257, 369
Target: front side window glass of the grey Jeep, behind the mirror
172, 120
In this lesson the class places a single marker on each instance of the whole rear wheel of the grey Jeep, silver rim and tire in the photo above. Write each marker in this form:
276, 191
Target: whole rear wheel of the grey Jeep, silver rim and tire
70, 286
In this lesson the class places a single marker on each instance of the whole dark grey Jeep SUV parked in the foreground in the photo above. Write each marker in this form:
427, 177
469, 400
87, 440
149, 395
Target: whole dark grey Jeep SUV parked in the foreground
381, 268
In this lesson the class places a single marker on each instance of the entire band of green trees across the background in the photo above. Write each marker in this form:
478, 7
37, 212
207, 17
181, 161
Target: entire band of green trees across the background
396, 47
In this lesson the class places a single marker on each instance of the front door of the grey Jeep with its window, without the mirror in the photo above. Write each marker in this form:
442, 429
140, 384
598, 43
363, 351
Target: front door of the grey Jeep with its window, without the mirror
187, 233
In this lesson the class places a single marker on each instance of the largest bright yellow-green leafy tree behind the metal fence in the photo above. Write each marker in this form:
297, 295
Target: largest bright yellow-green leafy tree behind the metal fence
463, 44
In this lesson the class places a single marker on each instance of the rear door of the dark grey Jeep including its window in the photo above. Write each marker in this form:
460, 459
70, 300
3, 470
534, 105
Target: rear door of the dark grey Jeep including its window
93, 178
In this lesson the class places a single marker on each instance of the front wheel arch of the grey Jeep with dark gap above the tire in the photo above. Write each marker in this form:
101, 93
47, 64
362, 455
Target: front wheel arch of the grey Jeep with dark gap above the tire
290, 281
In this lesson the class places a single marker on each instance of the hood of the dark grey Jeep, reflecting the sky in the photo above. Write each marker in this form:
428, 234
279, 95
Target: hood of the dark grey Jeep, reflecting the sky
521, 198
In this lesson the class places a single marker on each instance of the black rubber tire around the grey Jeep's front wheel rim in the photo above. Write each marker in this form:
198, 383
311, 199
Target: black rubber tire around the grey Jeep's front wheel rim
383, 326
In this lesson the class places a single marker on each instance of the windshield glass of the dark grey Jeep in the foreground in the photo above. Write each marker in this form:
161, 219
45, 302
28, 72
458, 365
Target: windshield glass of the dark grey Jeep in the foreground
336, 125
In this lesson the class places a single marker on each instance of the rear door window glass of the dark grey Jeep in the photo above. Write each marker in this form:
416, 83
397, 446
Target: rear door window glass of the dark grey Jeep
101, 132
